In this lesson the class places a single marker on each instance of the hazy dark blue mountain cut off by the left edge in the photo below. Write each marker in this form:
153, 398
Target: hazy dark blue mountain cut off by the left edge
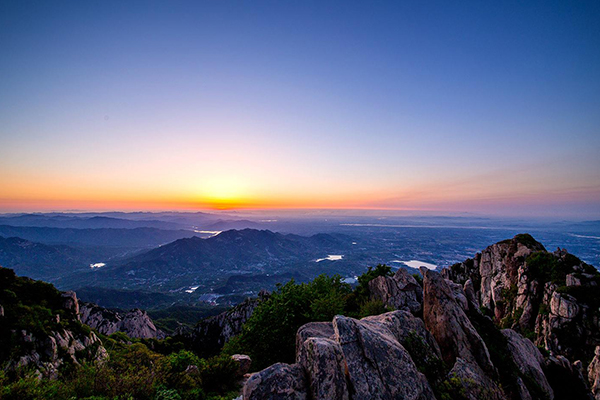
40, 261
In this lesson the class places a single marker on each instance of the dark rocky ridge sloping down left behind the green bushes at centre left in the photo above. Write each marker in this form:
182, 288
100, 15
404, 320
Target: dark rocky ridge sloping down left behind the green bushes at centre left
210, 334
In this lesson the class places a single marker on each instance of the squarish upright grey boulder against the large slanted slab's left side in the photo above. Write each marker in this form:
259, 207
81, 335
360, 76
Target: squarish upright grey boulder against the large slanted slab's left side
323, 361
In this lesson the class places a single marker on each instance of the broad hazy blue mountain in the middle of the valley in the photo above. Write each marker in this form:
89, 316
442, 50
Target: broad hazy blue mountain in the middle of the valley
192, 260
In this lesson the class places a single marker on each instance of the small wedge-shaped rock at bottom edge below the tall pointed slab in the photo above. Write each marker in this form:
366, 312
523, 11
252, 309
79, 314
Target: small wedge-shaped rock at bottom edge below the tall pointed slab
475, 383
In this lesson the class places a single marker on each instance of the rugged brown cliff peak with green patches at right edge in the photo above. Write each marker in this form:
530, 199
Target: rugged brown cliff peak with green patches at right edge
529, 289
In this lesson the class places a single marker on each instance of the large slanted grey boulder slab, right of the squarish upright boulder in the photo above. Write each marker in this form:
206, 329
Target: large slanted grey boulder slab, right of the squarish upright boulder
378, 367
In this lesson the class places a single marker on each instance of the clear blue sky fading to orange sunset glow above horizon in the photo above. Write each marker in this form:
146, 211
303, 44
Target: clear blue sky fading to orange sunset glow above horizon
483, 107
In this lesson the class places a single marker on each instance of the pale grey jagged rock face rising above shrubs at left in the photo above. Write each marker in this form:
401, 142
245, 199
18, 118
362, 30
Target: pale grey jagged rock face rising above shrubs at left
134, 323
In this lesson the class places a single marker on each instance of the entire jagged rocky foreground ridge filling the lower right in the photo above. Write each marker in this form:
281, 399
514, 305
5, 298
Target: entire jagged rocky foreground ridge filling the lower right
515, 322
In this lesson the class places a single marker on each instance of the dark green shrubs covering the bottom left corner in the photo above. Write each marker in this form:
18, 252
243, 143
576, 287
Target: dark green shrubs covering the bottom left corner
132, 372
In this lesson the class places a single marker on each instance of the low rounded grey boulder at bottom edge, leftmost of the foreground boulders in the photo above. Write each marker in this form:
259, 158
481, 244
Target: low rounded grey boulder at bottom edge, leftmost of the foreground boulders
278, 382
